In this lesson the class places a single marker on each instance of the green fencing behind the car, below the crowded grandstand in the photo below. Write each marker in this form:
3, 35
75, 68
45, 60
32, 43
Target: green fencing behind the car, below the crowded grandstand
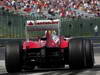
13, 26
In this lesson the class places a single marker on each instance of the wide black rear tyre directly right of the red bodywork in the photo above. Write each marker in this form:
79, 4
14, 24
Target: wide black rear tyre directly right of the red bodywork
76, 54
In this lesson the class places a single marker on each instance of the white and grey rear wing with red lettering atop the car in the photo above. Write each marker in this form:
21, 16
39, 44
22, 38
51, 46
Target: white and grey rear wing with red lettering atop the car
42, 25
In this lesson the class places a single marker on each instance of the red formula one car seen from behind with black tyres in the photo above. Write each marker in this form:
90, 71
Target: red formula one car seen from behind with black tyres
50, 51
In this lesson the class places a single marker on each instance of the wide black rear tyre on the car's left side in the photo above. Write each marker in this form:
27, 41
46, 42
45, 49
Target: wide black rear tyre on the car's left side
12, 57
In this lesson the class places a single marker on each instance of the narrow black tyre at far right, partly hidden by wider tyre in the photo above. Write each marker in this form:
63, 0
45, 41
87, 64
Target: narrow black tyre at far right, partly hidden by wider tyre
89, 53
